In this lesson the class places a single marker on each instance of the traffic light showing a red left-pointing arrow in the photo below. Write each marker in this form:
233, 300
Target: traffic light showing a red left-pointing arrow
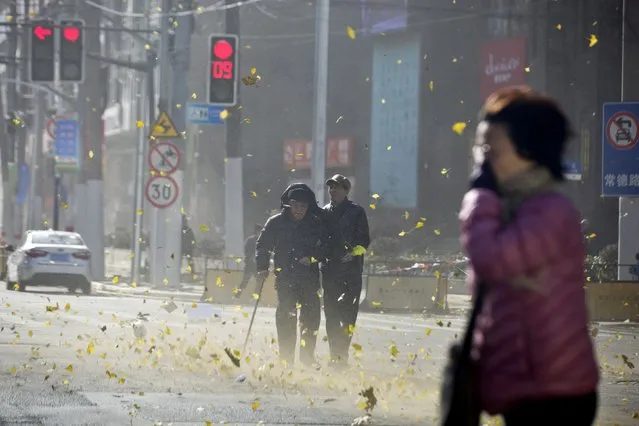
42, 52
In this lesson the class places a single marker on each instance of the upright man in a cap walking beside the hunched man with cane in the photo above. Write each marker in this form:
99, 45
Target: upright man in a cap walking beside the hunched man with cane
342, 273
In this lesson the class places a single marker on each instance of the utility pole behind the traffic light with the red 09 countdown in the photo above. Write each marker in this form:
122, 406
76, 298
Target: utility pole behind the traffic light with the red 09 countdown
233, 169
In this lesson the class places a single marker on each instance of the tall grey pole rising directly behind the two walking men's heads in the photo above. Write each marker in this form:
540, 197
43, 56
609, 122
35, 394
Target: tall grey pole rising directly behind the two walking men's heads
322, 26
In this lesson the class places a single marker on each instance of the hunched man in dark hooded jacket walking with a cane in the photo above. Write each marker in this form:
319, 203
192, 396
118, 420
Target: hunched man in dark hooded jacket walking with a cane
297, 239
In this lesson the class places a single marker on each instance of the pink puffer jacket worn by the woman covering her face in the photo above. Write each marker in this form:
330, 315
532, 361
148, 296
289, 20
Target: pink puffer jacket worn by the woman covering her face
532, 340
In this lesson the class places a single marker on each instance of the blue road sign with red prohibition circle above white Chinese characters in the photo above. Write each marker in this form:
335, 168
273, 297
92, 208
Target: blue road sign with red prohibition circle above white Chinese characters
620, 151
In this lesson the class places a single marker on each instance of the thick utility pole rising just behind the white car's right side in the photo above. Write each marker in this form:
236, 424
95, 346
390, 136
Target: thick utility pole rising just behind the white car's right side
91, 96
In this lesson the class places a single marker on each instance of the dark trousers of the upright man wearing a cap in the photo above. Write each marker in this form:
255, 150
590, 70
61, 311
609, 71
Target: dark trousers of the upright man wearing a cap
342, 291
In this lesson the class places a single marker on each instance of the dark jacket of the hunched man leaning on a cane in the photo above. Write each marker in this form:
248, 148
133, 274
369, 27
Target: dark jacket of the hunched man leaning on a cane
289, 241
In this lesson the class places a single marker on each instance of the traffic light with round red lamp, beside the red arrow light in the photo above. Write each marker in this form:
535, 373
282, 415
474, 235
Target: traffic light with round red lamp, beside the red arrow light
71, 65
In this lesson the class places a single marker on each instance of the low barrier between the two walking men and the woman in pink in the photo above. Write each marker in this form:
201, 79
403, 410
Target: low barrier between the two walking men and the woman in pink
406, 293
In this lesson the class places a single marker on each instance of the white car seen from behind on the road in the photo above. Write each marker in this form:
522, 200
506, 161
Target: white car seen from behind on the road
51, 259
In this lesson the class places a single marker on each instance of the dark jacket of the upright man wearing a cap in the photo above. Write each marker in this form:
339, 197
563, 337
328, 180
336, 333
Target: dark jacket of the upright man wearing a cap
347, 226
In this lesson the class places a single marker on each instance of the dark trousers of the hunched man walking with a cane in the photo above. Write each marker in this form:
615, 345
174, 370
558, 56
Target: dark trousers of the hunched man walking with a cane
292, 294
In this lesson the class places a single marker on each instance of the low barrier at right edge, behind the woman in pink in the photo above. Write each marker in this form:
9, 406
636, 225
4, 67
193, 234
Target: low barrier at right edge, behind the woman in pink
614, 301
